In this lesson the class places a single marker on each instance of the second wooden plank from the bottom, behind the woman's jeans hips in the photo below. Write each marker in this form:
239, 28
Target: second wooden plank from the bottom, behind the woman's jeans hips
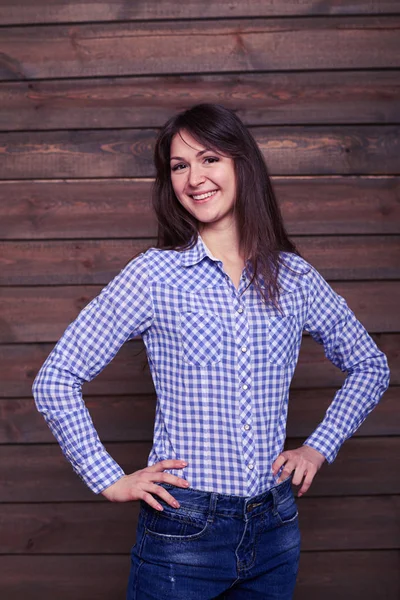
346, 523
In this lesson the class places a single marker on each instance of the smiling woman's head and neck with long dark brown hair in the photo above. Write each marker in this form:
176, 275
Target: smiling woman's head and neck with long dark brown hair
208, 148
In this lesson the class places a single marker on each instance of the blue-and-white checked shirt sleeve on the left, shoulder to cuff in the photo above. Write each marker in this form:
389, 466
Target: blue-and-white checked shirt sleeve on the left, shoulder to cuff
122, 310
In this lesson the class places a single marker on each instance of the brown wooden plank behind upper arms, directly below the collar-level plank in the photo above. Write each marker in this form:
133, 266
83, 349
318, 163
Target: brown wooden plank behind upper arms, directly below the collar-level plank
41, 314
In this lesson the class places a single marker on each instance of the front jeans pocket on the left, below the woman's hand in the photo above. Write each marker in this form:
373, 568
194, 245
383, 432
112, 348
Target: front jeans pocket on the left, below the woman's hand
174, 524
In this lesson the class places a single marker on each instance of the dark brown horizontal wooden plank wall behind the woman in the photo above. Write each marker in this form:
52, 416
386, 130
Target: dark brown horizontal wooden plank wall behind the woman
84, 87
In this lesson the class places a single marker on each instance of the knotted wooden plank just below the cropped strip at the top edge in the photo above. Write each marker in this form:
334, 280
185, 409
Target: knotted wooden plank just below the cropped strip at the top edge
192, 46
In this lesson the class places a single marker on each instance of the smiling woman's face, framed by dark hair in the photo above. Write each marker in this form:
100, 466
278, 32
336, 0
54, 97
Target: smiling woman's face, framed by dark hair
203, 180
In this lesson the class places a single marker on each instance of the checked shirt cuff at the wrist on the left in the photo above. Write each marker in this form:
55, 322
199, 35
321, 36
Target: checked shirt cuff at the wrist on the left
98, 472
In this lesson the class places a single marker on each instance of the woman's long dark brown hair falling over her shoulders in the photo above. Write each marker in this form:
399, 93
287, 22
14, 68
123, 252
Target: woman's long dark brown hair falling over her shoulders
262, 234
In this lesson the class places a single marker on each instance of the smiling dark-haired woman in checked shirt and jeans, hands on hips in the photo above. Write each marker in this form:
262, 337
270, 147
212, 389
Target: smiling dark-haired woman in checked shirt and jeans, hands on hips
221, 305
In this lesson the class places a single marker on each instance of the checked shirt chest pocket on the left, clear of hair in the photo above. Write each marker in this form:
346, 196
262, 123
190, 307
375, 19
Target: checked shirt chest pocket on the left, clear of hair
201, 337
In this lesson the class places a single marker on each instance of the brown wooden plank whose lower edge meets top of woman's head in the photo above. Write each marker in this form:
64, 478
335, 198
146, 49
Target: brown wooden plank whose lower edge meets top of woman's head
258, 99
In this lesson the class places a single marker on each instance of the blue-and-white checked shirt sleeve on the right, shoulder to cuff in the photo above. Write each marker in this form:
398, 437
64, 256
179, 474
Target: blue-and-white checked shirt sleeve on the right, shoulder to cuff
349, 347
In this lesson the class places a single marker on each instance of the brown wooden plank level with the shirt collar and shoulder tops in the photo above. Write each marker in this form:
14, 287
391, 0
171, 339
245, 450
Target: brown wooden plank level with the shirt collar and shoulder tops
78, 262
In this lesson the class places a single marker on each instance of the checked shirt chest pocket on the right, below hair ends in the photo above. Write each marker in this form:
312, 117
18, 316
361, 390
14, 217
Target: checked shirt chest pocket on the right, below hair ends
282, 339
